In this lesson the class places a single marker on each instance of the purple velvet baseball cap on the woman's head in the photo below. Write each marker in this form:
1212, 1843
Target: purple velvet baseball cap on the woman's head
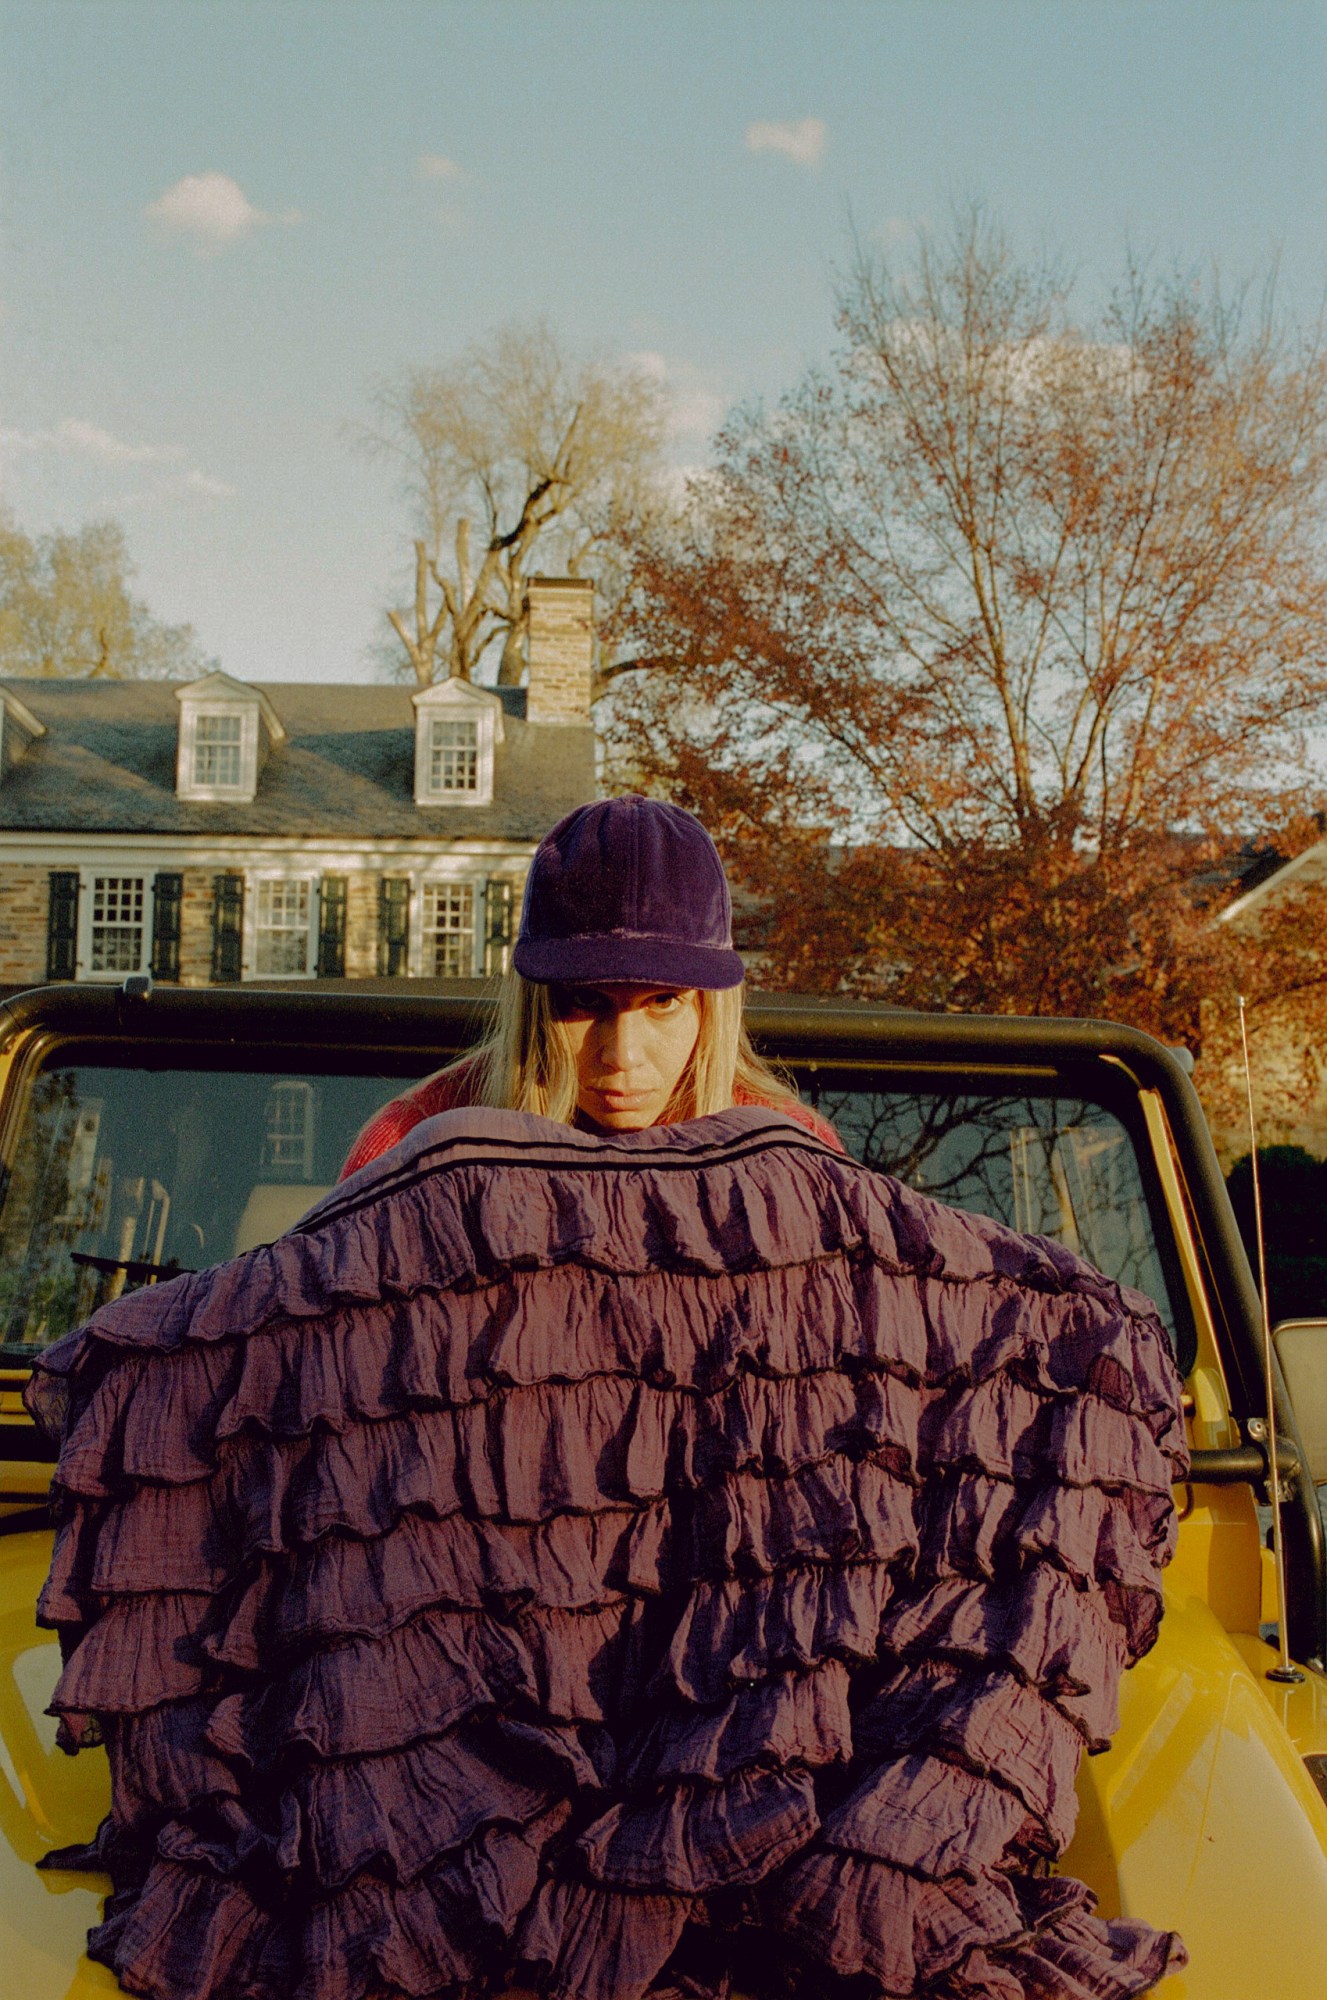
631, 891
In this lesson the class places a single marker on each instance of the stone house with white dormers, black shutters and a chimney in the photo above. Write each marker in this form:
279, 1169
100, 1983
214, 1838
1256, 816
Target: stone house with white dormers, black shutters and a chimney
225, 831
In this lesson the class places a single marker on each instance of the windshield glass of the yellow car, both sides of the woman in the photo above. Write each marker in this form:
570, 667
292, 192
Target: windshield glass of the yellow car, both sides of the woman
125, 1175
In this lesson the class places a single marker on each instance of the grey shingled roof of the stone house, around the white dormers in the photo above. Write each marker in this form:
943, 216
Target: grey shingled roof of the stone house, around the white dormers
107, 765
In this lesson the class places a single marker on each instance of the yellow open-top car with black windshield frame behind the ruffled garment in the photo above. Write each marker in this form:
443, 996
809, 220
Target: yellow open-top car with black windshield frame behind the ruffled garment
157, 1131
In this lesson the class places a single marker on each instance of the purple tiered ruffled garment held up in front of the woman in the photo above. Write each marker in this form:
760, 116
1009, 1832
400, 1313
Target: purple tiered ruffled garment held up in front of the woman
629, 1567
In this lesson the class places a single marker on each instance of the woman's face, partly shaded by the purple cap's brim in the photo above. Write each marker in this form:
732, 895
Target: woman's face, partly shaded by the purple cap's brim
631, 1047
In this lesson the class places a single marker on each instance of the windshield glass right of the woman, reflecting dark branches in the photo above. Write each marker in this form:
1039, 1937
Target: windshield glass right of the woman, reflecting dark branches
1044, 1165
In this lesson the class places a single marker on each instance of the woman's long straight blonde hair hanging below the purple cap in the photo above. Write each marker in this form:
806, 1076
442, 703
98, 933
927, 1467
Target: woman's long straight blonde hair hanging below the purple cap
527, 1063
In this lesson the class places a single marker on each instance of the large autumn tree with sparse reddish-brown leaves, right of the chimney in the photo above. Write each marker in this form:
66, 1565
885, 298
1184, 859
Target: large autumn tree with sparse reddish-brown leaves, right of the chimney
990, 647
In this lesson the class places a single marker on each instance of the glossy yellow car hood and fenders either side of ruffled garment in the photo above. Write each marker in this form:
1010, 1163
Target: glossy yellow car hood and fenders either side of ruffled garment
1202, 1815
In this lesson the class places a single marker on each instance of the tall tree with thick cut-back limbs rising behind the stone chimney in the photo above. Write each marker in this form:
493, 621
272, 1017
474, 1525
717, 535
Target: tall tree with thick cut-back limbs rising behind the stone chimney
509, 455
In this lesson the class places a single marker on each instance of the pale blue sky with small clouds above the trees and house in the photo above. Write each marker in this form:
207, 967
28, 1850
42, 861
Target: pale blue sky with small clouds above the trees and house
221, 221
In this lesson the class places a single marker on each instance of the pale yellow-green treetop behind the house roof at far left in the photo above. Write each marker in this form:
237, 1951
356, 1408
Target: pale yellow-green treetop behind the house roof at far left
67, 611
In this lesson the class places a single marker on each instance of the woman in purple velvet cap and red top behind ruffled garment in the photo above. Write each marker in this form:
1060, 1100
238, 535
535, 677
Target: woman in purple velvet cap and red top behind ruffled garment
625, 1003
